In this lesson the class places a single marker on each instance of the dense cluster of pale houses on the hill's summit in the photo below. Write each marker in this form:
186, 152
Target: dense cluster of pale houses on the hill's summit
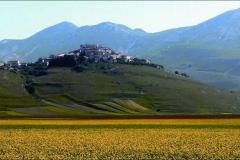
99, 53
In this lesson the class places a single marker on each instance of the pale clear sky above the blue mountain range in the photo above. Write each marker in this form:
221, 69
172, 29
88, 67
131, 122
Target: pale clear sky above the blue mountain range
22, 19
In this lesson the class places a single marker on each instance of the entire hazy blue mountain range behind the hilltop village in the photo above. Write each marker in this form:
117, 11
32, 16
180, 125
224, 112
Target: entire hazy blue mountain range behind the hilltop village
209, 51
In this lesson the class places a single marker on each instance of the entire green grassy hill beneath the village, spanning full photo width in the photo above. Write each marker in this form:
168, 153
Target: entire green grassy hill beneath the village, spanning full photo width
111, 91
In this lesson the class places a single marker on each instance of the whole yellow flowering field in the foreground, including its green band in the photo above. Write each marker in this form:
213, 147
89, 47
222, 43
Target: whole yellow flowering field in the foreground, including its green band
120, 139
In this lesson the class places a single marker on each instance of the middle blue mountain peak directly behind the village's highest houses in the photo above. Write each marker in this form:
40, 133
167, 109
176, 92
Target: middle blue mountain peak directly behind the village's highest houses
116, 36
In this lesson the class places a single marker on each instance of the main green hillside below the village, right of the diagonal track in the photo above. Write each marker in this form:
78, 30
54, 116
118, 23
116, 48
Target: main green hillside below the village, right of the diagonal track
130, 89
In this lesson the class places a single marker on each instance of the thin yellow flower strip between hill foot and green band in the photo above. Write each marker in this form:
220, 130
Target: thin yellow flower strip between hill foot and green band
120, 121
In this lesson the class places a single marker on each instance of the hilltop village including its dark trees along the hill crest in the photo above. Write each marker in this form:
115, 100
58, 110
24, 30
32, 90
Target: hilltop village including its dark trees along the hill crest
78, 61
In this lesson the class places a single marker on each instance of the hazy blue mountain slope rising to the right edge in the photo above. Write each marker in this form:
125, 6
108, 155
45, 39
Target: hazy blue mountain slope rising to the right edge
208, 51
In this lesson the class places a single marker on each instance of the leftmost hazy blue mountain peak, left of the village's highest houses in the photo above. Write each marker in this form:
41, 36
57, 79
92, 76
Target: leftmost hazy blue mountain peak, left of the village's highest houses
43, 43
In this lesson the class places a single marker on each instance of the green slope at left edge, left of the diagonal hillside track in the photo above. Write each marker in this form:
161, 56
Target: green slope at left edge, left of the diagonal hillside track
16, 102
